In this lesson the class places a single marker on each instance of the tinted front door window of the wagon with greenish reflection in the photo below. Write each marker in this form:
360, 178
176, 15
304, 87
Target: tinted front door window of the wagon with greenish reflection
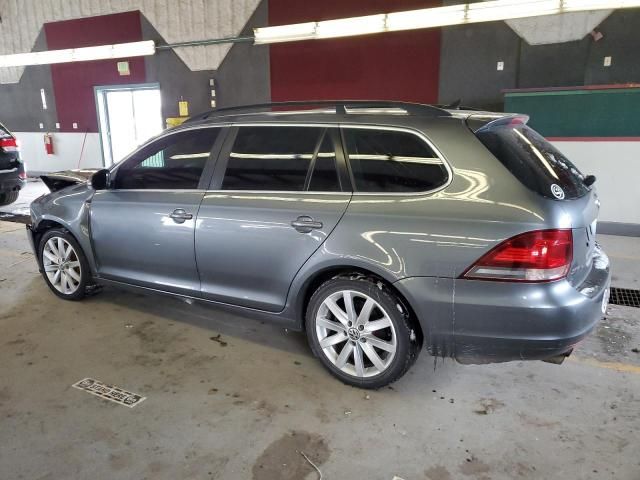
174, 162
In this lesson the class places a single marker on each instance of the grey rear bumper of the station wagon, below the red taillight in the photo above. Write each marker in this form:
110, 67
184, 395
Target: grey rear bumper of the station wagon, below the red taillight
503, 321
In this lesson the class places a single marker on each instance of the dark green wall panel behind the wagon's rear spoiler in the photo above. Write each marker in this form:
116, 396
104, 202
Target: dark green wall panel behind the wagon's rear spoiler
611, 112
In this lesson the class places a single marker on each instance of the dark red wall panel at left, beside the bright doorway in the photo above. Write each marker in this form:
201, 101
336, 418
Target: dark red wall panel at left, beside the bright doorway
73, 82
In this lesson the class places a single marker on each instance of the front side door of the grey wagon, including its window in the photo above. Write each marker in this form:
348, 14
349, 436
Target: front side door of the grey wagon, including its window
142, 227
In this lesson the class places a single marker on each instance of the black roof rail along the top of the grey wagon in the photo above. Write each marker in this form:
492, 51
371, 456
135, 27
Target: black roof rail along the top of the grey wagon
340, 106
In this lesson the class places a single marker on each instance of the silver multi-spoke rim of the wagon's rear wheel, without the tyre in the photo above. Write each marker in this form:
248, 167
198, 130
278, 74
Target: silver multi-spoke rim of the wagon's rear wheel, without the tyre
356, 334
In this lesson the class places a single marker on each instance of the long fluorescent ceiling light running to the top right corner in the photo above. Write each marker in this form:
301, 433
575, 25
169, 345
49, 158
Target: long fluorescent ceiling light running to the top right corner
432, 17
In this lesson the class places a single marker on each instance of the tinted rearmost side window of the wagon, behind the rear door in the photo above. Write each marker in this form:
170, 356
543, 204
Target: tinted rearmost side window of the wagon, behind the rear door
386, 161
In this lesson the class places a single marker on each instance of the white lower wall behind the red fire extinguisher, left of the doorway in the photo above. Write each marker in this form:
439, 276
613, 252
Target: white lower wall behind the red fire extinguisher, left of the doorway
67, 149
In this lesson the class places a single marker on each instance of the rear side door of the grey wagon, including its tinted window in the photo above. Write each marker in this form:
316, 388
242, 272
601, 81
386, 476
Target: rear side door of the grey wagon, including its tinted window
277, 193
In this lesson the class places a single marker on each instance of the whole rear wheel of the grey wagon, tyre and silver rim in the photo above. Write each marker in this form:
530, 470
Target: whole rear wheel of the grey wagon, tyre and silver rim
361, 332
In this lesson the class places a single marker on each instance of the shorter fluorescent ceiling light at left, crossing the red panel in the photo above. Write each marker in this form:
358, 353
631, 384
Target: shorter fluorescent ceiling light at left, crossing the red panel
102, 52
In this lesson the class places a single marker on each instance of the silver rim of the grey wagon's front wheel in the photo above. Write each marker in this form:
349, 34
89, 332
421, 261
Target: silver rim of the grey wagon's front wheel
61, 265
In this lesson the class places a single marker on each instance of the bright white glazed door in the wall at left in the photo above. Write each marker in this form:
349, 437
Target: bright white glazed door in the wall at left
129, 116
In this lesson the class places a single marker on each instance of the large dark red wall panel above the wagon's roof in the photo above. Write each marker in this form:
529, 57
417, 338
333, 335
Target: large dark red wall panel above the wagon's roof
387, 66
